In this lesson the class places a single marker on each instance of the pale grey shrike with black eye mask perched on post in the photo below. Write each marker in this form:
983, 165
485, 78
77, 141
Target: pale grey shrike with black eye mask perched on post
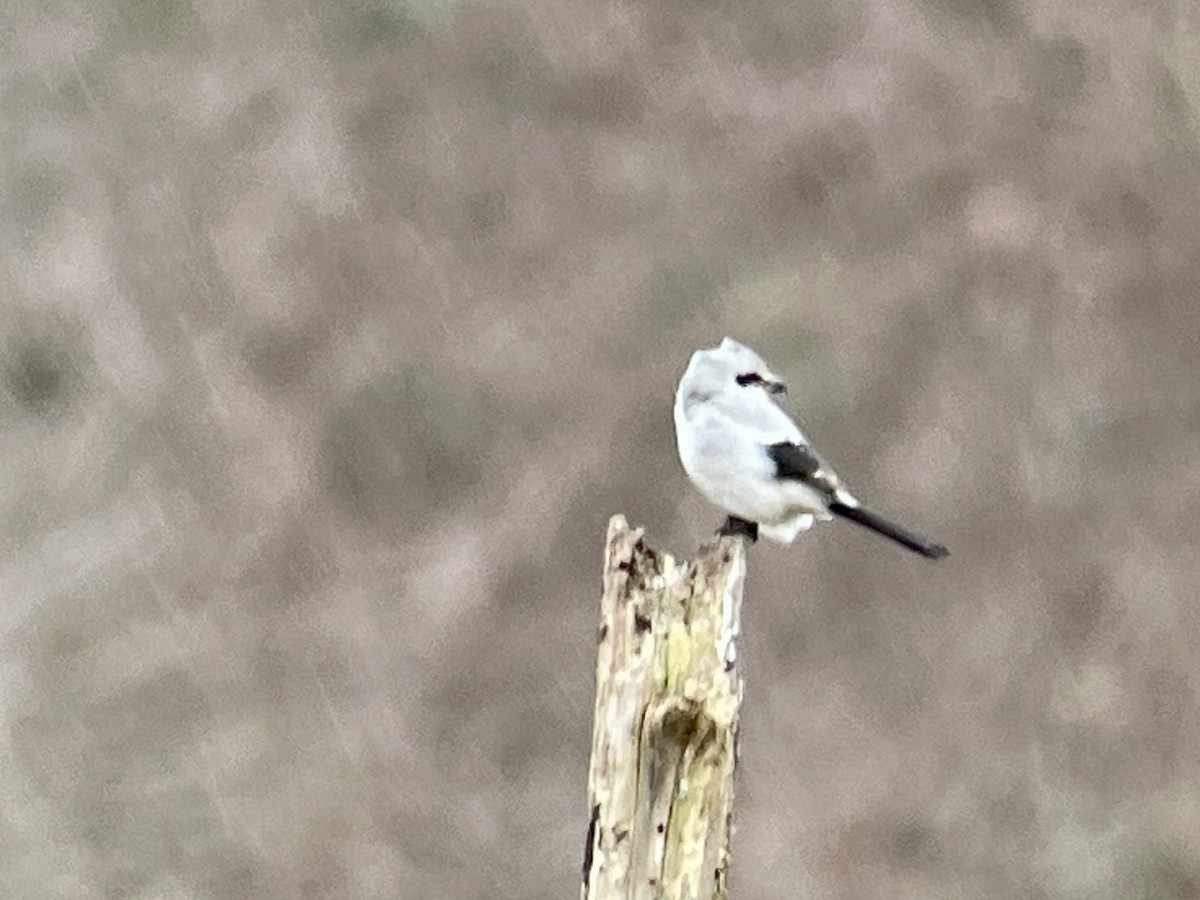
748, 457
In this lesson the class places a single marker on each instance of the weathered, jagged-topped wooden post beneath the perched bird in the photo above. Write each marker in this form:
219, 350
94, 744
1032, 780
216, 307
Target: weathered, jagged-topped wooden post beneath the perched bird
664, 740
